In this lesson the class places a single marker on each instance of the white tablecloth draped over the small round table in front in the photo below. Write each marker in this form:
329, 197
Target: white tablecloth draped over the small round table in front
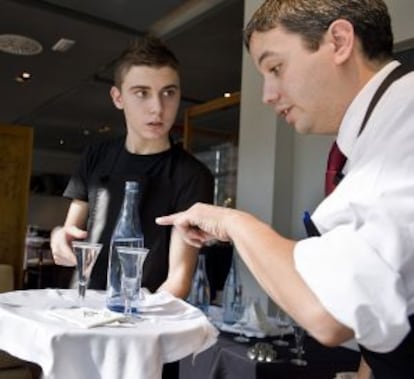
171, 330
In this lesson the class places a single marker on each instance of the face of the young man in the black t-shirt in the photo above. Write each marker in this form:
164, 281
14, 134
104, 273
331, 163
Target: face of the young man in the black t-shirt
149, 97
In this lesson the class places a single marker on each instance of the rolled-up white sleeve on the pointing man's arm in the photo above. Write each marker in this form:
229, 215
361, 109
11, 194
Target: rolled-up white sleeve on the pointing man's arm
356, 271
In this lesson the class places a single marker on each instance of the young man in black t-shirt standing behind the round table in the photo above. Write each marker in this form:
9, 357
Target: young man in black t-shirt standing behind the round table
147, 90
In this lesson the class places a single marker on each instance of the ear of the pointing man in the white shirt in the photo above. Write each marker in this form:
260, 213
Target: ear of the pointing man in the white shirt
342, 37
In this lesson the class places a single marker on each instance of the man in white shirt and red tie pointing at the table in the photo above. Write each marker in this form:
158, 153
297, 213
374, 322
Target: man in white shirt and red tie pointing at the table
322, 62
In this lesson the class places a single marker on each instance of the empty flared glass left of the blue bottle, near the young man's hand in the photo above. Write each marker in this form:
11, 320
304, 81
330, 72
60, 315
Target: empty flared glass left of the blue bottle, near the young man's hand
86, 254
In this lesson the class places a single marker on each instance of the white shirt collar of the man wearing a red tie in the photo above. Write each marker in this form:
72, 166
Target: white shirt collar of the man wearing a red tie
351, 123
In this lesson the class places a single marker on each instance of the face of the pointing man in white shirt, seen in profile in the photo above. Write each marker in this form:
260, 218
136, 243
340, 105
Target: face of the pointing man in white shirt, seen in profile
298, 83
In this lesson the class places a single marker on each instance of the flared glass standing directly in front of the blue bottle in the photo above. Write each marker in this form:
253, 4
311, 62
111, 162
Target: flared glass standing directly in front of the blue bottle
132, 260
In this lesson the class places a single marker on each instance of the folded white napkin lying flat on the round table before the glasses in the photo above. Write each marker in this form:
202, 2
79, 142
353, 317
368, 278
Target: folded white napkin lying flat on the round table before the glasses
86, 317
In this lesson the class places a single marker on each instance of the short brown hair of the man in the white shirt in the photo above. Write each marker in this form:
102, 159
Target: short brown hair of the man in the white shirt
311, 19
